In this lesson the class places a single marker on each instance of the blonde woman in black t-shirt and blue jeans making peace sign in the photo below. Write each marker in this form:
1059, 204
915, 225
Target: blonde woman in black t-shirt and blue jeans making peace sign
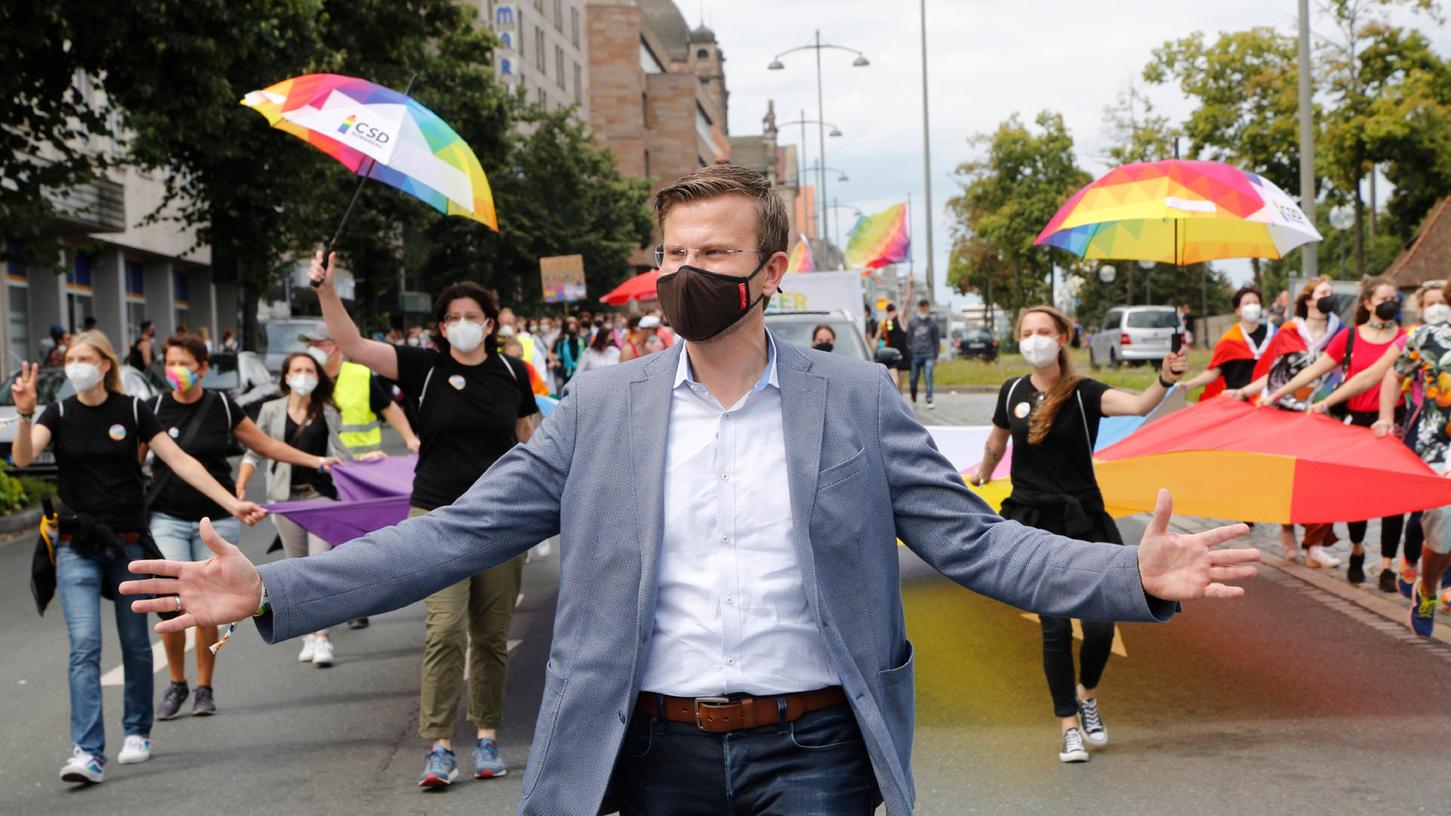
101, 438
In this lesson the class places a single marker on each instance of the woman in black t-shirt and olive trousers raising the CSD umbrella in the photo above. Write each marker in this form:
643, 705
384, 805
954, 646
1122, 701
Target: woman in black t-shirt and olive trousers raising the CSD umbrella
474, 406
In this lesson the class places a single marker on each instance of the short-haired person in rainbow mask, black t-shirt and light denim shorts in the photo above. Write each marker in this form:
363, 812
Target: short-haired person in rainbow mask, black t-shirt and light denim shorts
179, 509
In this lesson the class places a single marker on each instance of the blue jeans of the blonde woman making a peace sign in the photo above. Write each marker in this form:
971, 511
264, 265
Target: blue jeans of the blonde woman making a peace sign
79, 583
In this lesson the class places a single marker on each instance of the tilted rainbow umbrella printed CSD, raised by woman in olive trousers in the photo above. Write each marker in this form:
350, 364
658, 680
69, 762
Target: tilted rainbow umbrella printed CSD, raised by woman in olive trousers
384, 136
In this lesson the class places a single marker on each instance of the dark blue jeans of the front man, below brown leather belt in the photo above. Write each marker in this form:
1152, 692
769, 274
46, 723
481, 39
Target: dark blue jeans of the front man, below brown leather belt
813, 767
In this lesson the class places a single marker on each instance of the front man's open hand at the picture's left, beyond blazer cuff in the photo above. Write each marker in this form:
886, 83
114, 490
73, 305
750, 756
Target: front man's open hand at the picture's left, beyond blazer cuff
220, 590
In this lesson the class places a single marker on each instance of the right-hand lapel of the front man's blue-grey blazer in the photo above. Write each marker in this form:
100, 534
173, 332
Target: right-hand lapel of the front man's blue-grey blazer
803, 416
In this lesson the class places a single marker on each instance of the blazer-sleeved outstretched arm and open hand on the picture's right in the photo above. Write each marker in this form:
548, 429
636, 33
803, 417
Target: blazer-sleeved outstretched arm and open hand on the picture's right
955, 532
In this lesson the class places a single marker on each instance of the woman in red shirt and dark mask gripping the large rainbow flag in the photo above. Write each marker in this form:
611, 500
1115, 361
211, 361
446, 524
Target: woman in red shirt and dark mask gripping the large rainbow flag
1376, 332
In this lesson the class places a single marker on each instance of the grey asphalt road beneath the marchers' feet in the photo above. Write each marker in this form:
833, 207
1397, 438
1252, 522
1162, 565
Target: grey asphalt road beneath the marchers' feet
1294, 701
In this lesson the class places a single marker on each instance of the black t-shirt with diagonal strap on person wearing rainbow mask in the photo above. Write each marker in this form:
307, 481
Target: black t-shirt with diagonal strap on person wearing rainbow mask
210, 446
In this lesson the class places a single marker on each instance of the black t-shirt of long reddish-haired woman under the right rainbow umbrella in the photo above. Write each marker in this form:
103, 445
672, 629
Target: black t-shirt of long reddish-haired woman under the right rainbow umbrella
1063, 462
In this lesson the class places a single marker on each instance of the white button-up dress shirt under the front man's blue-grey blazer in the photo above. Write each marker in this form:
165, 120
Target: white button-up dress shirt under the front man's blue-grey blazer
732, 611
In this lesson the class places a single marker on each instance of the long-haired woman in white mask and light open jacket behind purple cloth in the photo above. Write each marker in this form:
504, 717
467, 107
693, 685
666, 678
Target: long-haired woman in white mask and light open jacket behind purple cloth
307, 420
